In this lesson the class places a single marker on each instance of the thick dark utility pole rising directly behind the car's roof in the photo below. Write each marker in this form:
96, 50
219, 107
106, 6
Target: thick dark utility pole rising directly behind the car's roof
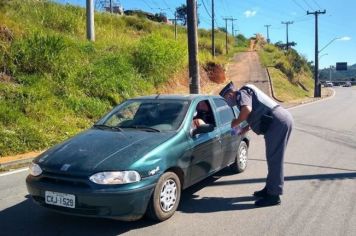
194, 83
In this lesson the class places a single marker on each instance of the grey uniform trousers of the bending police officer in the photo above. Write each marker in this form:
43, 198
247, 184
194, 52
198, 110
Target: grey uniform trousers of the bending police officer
276, 139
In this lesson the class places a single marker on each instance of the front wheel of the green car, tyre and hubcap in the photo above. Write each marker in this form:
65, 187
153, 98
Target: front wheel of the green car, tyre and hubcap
165, 198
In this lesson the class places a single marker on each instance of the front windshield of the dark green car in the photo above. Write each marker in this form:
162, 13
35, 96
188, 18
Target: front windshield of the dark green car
153, 115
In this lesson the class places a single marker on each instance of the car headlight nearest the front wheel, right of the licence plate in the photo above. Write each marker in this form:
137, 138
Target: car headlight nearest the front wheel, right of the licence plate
115, 177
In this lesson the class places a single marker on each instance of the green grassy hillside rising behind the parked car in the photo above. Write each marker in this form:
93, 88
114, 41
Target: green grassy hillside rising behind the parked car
61, 83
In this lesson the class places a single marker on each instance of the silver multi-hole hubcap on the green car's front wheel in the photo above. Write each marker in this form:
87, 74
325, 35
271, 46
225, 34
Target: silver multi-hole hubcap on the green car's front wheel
168, 195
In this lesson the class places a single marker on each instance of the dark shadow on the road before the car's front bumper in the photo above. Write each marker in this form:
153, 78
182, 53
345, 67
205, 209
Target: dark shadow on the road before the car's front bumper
26, 218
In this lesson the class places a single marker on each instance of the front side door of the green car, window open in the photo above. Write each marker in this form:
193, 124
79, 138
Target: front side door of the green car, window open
206, 148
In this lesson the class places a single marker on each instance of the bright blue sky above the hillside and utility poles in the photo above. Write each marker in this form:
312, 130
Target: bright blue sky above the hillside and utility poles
337, 26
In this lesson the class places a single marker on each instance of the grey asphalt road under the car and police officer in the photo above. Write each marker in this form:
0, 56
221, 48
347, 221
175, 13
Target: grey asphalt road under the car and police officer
319, 199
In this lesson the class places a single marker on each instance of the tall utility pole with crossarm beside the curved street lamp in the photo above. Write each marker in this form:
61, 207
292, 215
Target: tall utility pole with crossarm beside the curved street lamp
317, 85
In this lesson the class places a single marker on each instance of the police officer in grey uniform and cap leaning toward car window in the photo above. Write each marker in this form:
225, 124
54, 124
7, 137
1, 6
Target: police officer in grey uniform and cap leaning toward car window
265, 117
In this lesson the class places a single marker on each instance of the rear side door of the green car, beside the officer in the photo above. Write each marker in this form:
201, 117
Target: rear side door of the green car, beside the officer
229, 143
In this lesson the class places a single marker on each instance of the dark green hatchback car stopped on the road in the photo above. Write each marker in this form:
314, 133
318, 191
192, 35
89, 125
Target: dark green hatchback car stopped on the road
138, 158
